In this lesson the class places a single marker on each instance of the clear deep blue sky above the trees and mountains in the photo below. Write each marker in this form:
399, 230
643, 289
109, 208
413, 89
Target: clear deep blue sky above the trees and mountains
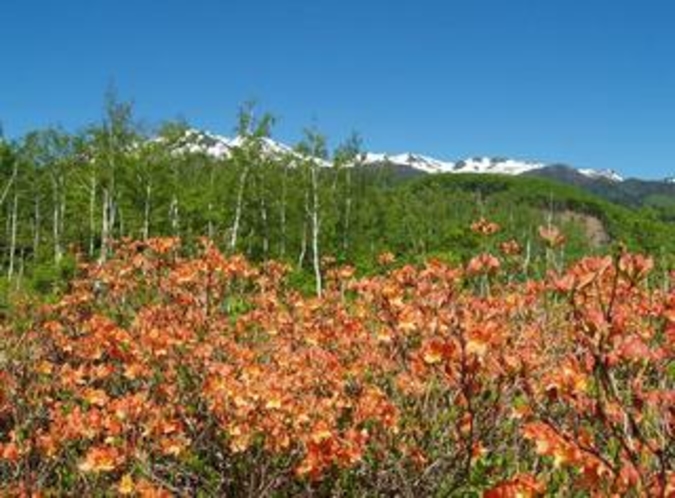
587, 82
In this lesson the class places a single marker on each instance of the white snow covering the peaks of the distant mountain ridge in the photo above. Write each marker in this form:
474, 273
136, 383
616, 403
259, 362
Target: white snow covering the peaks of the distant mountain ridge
219, 147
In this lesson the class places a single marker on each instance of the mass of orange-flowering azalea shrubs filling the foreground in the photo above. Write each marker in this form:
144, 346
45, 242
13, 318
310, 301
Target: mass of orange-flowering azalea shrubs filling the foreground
159, 374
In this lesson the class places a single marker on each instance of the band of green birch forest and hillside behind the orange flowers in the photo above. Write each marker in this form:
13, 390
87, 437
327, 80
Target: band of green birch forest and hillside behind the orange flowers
65, 195
